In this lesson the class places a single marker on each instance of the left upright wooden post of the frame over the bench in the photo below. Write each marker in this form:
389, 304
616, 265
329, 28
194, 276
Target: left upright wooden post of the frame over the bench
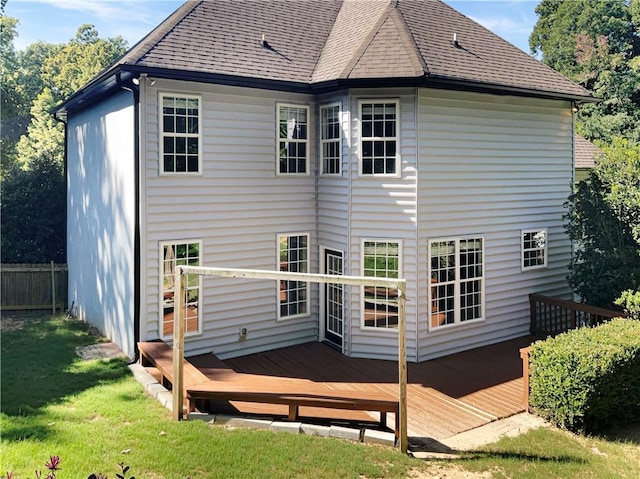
178, 344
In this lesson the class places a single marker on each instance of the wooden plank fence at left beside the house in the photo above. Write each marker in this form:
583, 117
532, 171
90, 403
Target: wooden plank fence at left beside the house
34, 287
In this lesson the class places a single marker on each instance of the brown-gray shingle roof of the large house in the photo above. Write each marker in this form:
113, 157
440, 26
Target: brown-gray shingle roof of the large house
312, 43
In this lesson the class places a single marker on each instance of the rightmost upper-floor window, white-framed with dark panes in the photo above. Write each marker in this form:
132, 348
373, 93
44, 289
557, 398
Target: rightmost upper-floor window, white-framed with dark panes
379, 137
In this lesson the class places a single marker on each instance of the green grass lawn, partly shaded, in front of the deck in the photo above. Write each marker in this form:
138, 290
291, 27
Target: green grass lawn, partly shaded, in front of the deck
94, 415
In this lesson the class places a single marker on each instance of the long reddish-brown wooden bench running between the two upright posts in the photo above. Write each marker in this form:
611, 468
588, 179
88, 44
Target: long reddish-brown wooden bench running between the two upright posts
295, 394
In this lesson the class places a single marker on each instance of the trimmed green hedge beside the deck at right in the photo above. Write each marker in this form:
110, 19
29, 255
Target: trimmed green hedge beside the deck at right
588, 378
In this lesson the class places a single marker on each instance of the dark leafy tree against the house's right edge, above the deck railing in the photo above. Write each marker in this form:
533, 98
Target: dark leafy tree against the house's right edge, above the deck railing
603, 220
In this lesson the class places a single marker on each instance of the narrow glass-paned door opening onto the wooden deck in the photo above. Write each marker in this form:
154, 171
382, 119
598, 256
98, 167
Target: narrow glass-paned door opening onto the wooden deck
333, 297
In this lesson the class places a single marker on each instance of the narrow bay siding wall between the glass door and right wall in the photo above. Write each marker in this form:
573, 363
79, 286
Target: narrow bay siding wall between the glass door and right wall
384, 208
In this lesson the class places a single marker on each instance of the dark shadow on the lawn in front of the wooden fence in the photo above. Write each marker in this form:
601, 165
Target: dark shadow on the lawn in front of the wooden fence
40, 366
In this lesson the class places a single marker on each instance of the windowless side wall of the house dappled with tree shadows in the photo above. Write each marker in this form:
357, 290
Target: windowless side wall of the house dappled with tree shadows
101, 215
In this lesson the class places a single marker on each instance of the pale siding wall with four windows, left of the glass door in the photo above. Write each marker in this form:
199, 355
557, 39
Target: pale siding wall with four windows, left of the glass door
237, 207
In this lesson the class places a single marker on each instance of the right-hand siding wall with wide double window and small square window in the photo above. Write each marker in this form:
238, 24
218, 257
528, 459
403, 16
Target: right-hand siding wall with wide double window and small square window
491, 166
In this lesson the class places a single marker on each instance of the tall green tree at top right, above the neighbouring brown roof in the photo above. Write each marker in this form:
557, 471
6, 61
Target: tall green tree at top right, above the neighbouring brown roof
597, 44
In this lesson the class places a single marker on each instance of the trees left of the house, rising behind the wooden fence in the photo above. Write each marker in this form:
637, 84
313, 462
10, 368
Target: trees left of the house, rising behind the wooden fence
33, 188
